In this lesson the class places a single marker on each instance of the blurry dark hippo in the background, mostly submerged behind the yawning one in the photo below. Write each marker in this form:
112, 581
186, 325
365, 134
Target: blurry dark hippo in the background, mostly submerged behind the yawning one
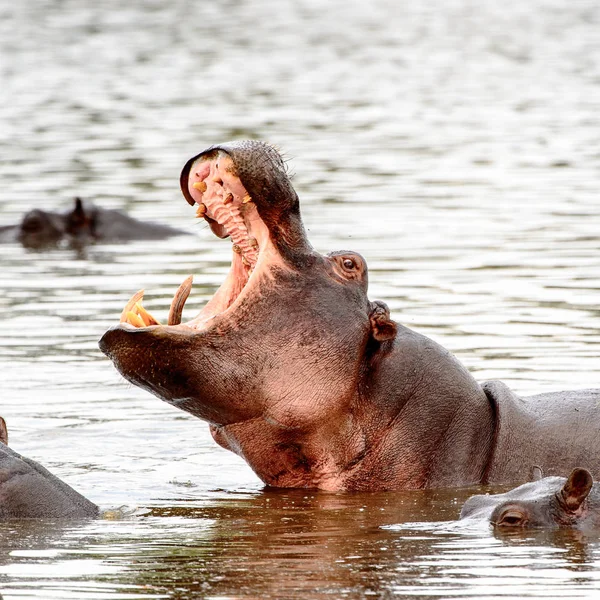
82, 224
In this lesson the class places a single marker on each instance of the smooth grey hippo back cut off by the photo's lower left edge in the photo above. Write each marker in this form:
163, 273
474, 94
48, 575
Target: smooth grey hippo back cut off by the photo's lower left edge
28, 490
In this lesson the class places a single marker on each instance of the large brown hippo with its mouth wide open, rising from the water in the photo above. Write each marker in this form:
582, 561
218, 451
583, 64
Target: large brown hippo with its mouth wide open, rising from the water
313, 384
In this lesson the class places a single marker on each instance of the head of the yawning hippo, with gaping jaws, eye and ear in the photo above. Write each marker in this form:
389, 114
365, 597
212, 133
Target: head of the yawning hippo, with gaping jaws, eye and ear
274, 360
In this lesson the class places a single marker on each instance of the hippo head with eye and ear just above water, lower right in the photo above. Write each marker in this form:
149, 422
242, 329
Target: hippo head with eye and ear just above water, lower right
550, 502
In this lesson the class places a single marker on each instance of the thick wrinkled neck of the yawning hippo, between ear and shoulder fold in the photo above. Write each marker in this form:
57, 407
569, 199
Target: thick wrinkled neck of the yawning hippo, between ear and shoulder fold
443, 426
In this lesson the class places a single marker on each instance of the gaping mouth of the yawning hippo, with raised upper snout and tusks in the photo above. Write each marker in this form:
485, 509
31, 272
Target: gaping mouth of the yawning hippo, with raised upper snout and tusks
242, 190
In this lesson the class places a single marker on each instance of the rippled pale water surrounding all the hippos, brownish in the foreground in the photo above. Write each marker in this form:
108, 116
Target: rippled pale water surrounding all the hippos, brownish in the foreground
456, 145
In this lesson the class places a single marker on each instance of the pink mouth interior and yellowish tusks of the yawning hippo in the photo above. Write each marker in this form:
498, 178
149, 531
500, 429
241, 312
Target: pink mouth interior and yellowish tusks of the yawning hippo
210, 181
